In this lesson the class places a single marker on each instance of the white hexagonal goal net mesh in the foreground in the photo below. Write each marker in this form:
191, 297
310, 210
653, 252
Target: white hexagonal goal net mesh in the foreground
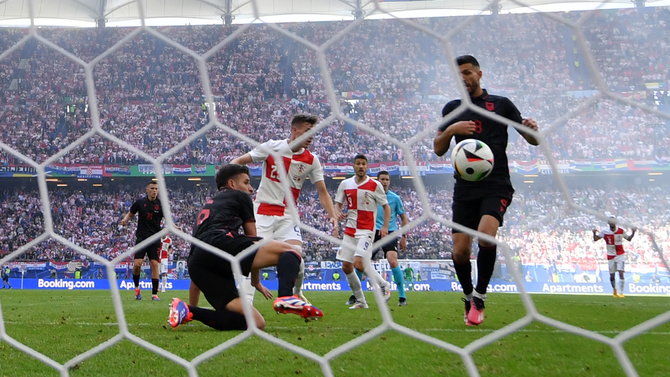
320, 53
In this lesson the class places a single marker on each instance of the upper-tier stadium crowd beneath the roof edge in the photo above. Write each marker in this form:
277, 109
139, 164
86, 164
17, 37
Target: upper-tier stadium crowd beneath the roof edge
386, 74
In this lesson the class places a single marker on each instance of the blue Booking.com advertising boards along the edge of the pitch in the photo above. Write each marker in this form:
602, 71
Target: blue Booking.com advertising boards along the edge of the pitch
420, 275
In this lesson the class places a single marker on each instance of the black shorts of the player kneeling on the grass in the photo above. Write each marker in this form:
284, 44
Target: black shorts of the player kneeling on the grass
213, 274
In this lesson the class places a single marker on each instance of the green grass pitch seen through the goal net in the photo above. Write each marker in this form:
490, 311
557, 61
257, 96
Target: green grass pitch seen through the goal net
63, 324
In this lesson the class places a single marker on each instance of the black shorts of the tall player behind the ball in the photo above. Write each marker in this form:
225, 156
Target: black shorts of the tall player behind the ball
469, 212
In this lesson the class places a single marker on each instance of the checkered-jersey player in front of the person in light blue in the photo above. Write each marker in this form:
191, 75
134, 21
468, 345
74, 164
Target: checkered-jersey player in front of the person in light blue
362, 195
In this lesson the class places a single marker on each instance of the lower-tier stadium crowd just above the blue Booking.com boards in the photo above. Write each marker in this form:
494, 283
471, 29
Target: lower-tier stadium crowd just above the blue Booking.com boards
539, 225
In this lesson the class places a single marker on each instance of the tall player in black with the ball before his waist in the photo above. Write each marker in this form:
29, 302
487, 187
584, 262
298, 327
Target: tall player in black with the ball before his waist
479, 205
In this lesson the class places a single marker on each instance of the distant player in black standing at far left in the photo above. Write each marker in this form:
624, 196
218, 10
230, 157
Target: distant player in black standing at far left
150, 215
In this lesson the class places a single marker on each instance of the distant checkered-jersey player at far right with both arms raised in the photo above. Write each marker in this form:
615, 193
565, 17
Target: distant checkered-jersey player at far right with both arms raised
616, 256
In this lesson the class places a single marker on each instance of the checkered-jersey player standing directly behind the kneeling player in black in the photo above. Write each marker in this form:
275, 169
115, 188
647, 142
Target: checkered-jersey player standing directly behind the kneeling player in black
272, 221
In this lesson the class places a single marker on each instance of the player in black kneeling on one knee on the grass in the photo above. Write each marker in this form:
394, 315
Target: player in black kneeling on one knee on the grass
217, 224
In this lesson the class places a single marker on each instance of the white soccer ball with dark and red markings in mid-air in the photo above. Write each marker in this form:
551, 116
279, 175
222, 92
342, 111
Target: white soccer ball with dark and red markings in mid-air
472, 160
